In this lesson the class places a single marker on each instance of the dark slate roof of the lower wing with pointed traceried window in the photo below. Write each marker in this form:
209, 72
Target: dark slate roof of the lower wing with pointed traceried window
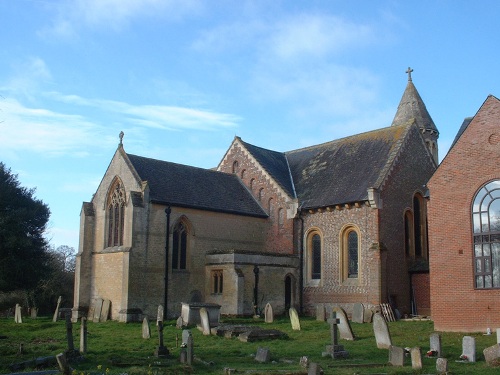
186, 186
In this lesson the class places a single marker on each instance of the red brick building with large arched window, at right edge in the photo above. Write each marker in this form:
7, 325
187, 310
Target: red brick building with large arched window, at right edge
464, 227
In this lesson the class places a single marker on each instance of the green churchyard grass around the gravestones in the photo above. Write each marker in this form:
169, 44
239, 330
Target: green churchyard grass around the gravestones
118, 348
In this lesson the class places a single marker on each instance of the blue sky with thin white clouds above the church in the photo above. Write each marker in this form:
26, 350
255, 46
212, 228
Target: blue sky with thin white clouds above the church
181, 78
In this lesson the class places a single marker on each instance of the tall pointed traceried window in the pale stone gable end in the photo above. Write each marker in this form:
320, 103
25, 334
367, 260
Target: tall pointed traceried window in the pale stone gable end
116, 214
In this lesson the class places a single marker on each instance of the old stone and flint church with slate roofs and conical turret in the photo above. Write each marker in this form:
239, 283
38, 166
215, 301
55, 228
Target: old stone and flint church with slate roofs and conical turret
337, 223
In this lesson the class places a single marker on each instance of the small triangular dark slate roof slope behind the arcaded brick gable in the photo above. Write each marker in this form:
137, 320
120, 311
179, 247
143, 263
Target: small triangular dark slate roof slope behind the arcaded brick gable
275, 163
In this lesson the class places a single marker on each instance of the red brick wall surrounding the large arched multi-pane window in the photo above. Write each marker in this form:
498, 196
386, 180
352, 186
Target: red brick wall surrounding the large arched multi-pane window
472, 162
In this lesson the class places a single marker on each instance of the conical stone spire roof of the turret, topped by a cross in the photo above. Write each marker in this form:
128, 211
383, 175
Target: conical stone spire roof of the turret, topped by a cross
411, 108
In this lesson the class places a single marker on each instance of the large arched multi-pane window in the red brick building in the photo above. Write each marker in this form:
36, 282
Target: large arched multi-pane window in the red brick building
486, 233
